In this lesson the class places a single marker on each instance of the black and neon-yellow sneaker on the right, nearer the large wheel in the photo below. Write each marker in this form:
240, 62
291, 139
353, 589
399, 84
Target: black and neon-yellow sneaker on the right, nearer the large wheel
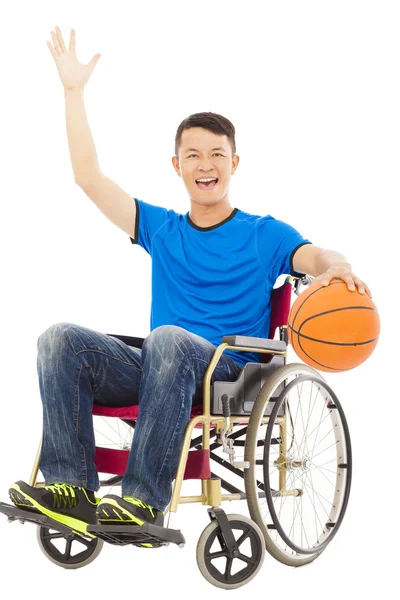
128, 511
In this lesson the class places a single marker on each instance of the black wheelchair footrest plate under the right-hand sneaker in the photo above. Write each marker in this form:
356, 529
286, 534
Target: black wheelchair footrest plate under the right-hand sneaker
137, 534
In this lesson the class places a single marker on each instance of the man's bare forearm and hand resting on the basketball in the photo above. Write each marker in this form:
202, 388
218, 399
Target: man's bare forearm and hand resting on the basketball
324, 265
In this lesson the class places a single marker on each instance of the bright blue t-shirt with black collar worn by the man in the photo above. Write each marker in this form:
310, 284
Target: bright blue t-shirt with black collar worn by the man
215, 281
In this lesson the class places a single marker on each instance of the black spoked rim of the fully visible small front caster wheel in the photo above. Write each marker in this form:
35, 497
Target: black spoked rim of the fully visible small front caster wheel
250, 561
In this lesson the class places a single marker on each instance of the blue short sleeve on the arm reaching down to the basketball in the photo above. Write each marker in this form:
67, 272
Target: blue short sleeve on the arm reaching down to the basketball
277, 243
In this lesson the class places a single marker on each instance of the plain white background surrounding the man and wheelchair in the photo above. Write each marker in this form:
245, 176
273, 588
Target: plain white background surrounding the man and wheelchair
312, 89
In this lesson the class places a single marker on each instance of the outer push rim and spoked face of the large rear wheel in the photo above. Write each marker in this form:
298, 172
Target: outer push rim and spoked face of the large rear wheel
316, 463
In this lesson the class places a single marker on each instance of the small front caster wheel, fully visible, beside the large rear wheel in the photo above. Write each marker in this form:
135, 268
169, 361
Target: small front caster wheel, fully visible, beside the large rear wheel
229, 573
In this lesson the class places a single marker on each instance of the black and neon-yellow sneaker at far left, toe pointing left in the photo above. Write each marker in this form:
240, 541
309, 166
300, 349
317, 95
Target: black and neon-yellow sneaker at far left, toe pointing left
72, 506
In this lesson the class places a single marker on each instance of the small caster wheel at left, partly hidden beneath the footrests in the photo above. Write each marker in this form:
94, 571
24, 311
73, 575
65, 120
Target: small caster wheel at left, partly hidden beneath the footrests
70, 552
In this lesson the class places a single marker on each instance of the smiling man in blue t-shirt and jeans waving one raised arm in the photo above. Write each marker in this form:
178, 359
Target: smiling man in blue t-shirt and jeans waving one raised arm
213, 270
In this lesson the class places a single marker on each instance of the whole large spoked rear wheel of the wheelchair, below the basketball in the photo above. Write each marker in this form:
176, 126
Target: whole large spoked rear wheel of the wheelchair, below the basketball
298, 482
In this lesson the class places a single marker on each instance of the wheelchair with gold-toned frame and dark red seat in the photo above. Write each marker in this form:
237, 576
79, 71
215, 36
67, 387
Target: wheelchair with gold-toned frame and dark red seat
287, 444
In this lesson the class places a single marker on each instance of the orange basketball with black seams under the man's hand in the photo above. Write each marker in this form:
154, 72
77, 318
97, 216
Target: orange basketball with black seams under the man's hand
331, 328
